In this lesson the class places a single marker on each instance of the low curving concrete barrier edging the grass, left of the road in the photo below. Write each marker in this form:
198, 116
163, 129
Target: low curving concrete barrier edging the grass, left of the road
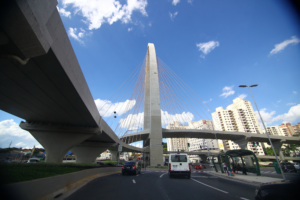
53, 187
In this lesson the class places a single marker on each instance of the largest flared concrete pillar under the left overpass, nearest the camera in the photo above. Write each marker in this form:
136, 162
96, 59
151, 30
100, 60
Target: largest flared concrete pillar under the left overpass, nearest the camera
57, 140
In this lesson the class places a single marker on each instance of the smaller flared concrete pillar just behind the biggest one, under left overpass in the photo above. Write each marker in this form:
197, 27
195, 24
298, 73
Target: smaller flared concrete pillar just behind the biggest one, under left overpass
87, 154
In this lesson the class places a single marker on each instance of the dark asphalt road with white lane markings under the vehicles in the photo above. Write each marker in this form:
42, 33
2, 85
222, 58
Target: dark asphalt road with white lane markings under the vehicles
158, 185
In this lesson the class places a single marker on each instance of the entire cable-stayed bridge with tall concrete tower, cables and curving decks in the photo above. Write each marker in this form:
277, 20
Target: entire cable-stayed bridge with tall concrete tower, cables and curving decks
41, 82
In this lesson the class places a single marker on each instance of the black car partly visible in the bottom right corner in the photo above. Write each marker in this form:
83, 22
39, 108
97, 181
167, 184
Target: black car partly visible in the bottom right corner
278, 190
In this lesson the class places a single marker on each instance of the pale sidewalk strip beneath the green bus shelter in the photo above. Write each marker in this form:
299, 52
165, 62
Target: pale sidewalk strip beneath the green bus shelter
250, 178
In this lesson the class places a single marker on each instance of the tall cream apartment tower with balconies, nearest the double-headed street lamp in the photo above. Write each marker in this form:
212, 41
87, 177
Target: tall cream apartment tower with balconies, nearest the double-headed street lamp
238, 117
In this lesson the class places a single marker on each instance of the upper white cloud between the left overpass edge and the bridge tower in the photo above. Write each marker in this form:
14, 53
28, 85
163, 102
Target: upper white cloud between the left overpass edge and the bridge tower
107, 108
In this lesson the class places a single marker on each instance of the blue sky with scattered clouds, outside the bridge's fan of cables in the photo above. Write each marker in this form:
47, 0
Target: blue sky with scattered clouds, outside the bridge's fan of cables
213, 46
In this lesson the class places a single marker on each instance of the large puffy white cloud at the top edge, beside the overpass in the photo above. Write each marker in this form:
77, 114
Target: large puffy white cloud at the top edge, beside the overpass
97, 12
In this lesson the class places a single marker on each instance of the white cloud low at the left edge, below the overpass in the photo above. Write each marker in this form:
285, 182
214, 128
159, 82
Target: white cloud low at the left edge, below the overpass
11, 132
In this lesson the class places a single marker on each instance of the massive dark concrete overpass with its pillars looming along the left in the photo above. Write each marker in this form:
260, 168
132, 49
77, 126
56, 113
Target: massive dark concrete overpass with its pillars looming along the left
41, 81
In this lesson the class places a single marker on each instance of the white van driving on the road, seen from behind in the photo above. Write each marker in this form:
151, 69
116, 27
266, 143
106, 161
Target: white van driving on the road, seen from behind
179, 165
